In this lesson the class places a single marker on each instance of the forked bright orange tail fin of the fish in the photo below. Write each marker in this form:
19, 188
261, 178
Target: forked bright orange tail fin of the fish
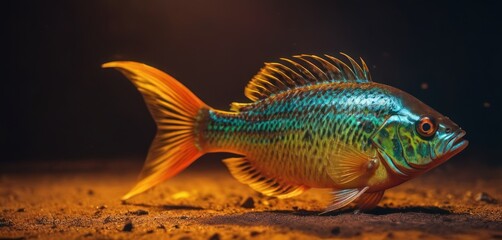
174, 108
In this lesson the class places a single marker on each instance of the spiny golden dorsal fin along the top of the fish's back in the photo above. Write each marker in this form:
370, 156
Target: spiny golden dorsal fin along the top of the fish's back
304, 70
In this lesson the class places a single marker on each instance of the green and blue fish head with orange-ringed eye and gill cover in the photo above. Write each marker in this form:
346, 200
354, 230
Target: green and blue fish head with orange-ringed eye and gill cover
417, 138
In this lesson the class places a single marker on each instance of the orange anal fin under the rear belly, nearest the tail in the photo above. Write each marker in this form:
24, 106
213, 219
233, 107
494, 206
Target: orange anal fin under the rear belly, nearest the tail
243, 170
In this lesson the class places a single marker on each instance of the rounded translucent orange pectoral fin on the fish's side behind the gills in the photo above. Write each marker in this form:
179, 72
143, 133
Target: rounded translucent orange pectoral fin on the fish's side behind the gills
351, 166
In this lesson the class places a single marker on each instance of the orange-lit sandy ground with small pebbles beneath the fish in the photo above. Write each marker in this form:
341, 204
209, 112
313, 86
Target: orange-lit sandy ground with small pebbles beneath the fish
81, 201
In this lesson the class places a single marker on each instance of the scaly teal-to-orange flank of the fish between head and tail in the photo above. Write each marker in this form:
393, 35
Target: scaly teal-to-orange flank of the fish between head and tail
291, 115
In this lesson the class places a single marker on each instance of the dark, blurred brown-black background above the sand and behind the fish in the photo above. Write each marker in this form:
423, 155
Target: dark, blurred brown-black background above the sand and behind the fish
59, 104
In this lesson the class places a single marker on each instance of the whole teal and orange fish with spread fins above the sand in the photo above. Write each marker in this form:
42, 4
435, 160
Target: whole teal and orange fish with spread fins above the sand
311, 122
